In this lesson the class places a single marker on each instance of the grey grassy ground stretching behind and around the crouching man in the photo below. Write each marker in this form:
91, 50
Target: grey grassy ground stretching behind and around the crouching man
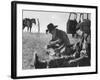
34, 42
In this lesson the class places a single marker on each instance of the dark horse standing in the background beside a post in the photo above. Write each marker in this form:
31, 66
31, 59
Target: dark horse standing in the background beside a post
28, 23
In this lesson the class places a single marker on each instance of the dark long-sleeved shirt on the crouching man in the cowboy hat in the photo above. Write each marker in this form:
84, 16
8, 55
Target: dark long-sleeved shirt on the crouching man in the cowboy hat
63, 40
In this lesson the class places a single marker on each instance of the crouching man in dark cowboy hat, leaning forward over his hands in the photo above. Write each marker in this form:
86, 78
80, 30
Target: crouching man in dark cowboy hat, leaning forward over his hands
59, 40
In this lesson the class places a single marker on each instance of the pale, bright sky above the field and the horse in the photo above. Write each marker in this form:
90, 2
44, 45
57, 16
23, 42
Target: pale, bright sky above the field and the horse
57, 18
